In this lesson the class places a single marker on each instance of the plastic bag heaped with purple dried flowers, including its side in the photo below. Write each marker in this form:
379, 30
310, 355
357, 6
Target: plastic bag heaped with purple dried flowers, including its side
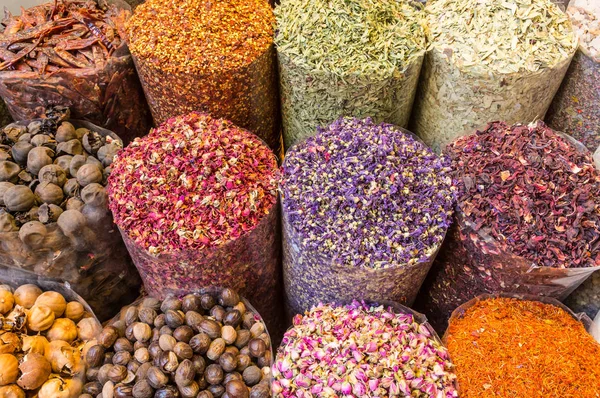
365, 209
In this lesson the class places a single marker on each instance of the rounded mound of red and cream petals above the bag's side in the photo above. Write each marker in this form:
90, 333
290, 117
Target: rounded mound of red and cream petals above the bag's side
194, 182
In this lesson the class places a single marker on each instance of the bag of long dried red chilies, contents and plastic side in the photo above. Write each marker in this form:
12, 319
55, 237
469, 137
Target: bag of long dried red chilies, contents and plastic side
100, 87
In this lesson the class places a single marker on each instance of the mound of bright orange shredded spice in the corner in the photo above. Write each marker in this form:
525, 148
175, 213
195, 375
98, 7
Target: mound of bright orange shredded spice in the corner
505, 347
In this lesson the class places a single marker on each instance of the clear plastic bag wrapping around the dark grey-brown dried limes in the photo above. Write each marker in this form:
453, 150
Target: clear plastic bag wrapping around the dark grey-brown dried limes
94, 262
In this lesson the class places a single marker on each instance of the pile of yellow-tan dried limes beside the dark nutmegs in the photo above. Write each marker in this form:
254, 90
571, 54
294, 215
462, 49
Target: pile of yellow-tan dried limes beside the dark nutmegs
43, 332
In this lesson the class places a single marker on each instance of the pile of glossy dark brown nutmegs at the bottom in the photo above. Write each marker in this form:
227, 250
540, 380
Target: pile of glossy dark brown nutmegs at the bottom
206, 345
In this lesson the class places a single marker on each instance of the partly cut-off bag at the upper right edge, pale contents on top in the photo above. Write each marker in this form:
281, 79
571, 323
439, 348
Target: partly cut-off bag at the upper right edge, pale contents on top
575, 108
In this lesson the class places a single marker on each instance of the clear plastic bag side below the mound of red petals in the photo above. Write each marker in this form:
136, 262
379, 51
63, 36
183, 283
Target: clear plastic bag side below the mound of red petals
250, 265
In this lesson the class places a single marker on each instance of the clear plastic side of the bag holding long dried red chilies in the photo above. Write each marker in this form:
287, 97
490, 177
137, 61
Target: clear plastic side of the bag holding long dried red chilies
110, 96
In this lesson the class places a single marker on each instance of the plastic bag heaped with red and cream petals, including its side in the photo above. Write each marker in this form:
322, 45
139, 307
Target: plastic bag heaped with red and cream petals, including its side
196, 203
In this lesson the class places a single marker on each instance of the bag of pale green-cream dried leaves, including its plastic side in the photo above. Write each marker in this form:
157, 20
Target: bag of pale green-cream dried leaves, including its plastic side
489, 60
